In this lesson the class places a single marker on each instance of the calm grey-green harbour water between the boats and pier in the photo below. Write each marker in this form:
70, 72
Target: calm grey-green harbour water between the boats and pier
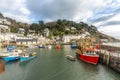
52, 64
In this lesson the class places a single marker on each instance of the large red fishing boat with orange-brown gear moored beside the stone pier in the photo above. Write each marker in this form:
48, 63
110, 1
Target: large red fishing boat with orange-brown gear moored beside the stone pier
87, 53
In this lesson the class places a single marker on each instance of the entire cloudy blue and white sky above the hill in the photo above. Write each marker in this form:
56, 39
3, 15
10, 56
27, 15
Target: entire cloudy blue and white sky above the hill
104, 14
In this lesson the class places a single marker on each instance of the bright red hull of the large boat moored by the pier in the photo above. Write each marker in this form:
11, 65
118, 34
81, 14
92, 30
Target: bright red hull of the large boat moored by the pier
89, 58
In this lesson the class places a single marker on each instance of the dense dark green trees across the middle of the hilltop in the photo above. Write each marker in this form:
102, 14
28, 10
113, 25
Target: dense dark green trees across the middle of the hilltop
58, 28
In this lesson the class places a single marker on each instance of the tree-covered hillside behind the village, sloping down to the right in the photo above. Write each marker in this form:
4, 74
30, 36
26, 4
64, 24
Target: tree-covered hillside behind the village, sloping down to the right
57, 28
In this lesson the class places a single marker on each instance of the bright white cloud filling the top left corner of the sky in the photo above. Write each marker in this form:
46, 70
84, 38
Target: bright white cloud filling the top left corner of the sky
15, 9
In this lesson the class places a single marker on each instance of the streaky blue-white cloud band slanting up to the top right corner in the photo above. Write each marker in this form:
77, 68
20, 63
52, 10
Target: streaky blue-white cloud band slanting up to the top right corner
106, 13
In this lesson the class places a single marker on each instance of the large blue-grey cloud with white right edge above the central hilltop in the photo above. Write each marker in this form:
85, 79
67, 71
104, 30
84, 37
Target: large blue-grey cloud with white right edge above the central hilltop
63, 9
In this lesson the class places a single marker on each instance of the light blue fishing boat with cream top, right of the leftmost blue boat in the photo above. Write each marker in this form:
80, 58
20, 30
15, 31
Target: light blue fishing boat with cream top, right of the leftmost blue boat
25, 56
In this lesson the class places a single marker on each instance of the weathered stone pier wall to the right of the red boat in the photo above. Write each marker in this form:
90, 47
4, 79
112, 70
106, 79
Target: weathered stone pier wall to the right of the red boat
110, 56
